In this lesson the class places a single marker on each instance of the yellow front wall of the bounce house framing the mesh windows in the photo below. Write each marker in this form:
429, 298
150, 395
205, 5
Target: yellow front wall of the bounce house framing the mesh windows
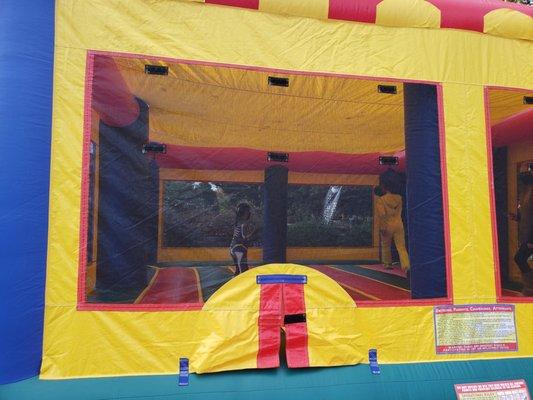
111, 342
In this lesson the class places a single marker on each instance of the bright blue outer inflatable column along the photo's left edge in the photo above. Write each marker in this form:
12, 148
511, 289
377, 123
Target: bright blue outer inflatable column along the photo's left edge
26, 60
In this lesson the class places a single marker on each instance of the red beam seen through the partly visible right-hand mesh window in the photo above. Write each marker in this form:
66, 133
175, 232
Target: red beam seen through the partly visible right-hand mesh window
515, 129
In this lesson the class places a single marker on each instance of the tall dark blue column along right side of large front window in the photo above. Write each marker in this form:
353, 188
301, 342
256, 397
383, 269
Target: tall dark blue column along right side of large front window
425, 222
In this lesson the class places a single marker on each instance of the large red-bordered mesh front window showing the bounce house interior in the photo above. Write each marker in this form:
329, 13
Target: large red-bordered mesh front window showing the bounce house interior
195, 173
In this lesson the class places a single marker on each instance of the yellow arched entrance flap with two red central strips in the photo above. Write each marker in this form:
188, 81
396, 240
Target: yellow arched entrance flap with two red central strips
304, 303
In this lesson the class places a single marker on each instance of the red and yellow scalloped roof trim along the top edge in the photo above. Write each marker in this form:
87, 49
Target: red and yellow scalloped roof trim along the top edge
494, 17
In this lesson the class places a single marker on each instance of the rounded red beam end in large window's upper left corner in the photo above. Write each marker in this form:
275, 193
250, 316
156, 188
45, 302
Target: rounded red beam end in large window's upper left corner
111, 97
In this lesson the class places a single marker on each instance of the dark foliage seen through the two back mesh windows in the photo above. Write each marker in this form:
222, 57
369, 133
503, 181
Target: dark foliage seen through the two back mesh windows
202, 214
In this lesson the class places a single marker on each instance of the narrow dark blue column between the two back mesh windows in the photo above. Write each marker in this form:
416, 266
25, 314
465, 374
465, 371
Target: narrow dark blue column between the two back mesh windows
275, 214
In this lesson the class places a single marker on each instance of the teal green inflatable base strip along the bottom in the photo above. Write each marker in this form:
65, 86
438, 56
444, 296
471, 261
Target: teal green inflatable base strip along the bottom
406, 381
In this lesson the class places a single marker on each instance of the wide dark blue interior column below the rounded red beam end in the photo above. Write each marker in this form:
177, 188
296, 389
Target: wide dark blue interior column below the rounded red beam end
128, 207
